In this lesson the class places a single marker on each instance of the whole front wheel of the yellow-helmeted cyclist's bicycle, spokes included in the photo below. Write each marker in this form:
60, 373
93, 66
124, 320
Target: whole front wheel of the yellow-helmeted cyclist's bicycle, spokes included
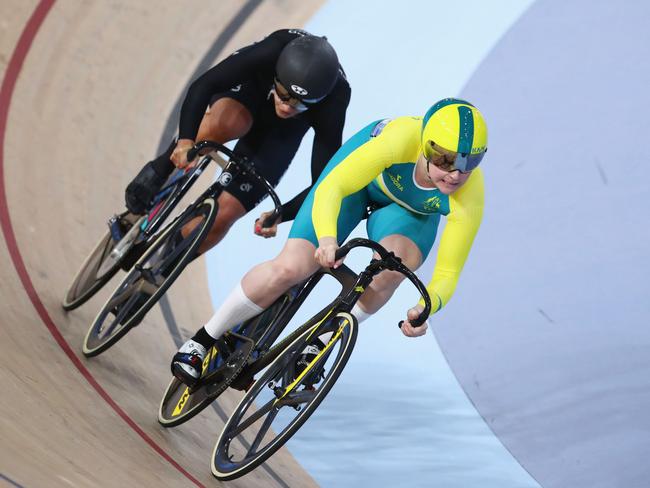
282, 399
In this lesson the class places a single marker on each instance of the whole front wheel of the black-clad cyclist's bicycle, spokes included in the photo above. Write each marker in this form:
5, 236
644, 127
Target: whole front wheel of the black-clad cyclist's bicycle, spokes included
149, 278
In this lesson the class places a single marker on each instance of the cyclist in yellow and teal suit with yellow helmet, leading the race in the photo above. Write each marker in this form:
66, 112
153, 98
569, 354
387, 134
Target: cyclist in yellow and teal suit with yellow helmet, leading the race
411, 170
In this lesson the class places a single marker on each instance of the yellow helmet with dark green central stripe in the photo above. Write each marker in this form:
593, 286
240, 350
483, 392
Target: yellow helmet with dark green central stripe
457, 126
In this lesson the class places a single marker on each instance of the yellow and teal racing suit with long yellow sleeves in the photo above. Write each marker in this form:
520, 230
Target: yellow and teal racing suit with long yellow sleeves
377, 166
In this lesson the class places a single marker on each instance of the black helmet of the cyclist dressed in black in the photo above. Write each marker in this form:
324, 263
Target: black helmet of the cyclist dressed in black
308, 68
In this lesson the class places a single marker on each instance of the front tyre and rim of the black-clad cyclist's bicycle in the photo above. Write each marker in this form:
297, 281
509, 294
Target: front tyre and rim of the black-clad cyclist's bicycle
94, 345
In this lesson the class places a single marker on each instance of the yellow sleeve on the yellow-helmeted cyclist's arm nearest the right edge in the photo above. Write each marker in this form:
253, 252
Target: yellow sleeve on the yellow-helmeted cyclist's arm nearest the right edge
463, 221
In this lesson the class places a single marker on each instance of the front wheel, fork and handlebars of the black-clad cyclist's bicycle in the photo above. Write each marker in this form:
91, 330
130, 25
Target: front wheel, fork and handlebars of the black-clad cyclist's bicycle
170, 250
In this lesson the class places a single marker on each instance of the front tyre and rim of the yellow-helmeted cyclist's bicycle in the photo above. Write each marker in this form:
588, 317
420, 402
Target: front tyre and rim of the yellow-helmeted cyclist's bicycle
223, 466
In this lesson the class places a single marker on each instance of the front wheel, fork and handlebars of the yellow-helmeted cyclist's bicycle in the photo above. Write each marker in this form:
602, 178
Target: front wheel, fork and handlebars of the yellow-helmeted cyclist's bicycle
283, 397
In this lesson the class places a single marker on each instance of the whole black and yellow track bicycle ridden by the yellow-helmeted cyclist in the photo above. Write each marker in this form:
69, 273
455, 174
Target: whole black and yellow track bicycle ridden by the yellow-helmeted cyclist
250, 348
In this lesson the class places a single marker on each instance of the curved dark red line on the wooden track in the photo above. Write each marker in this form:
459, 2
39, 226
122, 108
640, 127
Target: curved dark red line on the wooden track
6, 92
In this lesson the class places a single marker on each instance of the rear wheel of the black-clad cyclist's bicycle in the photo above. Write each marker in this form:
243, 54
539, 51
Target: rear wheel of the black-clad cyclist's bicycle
98, 268
